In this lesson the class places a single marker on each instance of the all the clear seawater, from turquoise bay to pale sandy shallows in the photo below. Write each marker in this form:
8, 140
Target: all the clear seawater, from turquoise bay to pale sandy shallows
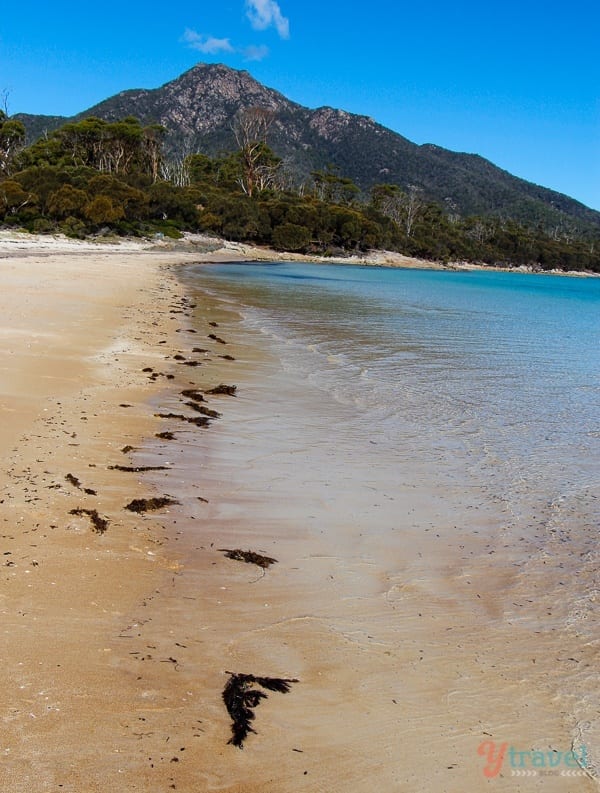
458, 415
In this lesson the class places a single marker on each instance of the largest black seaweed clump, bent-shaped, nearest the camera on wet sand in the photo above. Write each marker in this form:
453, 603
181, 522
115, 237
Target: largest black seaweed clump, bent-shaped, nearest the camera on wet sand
240, 699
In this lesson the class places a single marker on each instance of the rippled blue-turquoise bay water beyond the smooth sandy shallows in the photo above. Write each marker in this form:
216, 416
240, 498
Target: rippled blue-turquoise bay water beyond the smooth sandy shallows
496, 374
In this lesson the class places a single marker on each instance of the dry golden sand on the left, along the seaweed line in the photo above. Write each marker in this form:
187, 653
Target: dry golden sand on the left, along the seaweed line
79, 323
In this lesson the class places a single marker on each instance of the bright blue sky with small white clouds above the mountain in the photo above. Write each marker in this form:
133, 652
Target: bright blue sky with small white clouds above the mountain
517, 82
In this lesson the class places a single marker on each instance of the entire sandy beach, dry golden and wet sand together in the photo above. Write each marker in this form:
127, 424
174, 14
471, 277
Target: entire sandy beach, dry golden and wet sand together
118, 638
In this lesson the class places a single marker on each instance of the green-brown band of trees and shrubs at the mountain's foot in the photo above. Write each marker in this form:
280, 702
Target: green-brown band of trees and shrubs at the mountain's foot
95, 177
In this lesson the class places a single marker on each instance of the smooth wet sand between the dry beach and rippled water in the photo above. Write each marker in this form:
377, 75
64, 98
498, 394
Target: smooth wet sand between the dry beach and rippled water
387, 608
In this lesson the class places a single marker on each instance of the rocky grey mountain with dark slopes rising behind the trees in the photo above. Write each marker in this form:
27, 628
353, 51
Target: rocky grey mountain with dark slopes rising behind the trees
197, 110
